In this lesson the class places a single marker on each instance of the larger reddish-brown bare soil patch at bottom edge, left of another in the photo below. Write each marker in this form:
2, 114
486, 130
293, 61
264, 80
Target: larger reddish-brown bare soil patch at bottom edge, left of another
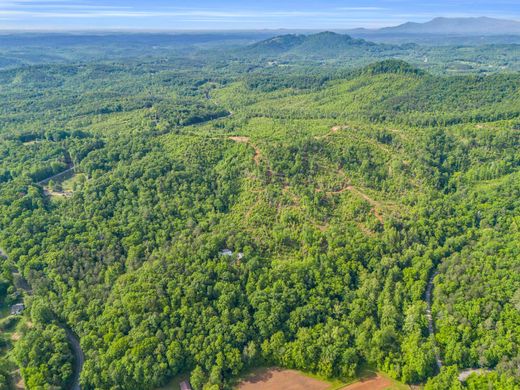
276, 379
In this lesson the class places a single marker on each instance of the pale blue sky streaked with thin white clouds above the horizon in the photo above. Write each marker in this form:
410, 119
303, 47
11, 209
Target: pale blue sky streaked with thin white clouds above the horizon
234, 14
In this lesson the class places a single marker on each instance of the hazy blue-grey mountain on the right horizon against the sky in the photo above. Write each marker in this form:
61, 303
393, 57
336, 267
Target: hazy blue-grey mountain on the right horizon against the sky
450, 26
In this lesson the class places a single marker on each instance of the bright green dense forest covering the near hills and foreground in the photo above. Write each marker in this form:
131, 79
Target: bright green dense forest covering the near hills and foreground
338, 192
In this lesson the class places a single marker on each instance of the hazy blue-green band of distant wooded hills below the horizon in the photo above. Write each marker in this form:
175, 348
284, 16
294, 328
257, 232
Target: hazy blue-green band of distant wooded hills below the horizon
256, 50
